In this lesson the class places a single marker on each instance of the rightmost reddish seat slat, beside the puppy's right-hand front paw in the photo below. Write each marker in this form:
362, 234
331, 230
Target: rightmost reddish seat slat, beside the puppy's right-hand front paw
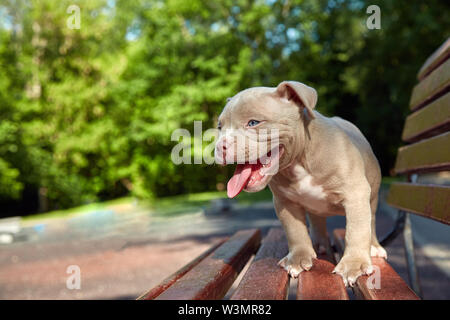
391, 286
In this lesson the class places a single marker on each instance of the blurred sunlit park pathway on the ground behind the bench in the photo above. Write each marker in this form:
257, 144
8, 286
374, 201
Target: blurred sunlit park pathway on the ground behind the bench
126, 250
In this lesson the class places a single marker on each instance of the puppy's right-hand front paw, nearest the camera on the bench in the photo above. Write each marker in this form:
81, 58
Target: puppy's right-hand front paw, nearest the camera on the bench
350, 268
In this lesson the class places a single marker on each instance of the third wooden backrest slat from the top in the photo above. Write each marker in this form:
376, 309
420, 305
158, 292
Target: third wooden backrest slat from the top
429, 121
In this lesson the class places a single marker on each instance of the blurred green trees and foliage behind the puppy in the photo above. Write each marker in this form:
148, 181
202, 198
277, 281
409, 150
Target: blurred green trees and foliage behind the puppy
87, 114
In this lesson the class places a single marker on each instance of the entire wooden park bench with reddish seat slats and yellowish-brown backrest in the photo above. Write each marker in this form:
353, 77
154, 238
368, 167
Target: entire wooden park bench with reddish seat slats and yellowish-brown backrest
212, 274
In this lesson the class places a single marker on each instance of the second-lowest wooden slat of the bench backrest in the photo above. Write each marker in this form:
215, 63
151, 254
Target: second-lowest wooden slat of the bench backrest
427, 155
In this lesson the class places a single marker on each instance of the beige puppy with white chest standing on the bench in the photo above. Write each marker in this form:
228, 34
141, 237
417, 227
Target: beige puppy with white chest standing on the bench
313, 164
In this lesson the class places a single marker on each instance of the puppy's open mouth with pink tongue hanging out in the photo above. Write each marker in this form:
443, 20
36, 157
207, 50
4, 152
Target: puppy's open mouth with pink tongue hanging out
251, 177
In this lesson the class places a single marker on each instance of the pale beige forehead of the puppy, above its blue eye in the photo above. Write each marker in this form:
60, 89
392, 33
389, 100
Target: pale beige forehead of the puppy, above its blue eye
254, 103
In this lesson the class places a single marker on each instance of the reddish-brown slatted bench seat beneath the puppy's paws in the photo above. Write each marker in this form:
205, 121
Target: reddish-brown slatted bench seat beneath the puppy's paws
211, 275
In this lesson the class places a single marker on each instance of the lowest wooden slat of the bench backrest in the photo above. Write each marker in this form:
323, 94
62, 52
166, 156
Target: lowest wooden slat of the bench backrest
431, 201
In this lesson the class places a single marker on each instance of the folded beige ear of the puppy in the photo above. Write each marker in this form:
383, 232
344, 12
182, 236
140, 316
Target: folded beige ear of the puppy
301, 94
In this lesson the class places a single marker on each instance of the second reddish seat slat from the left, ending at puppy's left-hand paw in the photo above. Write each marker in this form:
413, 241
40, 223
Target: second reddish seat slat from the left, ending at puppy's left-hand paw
265, 280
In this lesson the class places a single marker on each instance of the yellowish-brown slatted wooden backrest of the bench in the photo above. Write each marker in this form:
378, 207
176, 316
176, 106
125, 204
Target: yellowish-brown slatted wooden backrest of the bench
427, 132
